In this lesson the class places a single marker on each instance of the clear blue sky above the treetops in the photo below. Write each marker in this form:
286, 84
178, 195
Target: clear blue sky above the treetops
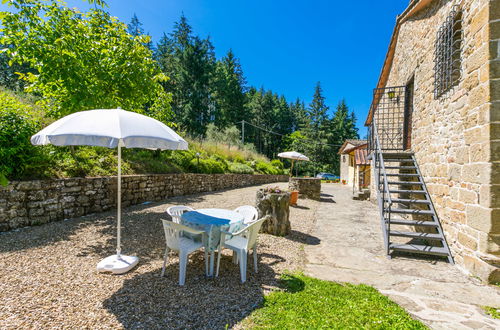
286, 46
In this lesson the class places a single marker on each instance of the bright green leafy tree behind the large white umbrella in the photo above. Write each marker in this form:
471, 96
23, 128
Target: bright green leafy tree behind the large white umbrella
82, 60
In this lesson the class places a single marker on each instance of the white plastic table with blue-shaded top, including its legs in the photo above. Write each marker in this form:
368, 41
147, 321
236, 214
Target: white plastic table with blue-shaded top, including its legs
212, 221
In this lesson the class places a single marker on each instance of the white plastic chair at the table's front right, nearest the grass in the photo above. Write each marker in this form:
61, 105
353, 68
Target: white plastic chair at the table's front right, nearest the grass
241, 243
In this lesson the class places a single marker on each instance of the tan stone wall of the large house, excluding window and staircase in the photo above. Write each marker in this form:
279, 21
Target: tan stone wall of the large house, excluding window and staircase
456, 137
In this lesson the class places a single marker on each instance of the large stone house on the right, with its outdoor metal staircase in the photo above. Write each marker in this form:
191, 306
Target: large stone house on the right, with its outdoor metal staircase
435, 117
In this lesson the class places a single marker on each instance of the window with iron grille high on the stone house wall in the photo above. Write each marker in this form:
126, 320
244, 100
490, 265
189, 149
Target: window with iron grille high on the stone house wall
447, 58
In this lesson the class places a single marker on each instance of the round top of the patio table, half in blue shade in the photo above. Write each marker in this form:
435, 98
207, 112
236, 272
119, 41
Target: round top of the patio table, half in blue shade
212, 216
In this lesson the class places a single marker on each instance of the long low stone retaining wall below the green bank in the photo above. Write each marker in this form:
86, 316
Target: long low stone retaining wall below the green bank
25, 203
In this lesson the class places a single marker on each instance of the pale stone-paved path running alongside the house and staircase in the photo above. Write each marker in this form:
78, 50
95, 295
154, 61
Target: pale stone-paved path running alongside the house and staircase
351, 250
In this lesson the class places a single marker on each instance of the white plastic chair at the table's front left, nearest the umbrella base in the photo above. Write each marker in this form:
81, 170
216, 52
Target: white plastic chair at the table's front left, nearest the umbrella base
183, 245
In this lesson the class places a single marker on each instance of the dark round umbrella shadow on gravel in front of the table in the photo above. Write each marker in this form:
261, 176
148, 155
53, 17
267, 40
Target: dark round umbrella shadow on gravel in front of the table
148, 301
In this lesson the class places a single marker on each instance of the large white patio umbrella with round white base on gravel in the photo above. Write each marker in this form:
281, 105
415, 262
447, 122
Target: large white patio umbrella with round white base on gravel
111, 128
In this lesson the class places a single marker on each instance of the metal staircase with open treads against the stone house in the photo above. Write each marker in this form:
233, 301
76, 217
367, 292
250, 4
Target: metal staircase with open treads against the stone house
408, 218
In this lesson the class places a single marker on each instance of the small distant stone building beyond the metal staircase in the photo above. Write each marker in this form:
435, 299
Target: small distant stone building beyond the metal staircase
354, 165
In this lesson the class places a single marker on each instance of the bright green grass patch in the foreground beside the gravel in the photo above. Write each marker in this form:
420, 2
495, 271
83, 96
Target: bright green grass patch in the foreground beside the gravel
308, 303
